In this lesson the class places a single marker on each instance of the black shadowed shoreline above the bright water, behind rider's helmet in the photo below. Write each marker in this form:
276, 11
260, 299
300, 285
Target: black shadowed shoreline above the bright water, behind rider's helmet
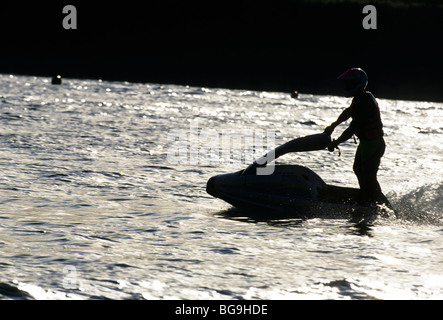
281, 46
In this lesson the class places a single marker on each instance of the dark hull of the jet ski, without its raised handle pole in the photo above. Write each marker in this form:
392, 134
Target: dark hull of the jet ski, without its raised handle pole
290, 189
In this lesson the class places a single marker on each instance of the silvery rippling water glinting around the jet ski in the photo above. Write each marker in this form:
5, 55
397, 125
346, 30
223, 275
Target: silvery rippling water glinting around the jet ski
91, 205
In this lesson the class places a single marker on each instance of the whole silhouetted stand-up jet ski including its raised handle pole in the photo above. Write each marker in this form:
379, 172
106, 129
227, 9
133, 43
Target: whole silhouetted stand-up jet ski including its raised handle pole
289, 190
